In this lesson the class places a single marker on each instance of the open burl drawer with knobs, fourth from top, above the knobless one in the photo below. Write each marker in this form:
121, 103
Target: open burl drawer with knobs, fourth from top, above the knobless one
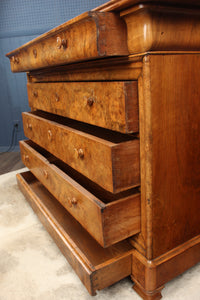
108, 218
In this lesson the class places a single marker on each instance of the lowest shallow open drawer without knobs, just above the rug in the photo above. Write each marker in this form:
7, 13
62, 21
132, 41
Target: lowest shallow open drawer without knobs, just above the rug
96, 267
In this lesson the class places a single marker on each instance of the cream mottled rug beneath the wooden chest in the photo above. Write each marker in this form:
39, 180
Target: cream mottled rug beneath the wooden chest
32, 267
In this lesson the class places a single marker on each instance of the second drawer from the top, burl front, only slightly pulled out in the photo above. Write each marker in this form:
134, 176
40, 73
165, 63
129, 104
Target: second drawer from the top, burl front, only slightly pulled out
112, 105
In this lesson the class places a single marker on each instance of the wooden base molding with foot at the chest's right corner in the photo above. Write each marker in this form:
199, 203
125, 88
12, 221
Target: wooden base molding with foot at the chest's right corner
150, 275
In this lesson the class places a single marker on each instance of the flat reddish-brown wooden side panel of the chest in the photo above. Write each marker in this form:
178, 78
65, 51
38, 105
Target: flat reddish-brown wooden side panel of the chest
175, 93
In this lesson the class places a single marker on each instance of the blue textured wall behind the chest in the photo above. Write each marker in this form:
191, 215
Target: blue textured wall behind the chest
20, 22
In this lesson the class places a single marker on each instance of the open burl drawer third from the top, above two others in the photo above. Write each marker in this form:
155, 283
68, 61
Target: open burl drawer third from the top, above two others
108, 158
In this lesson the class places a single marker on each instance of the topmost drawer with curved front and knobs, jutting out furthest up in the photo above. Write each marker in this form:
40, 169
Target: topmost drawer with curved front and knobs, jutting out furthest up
88, 36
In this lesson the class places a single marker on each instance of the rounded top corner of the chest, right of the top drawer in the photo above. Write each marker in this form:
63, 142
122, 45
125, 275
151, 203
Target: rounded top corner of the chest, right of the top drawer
151, 28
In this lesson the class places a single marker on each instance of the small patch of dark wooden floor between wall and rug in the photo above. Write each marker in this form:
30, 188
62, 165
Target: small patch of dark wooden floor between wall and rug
10, 161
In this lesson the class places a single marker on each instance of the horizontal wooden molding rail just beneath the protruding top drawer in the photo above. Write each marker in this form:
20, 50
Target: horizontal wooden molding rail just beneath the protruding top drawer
121, 69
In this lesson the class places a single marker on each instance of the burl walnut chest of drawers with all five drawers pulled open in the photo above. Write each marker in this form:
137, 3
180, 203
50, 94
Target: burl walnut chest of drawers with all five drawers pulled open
114, 140
